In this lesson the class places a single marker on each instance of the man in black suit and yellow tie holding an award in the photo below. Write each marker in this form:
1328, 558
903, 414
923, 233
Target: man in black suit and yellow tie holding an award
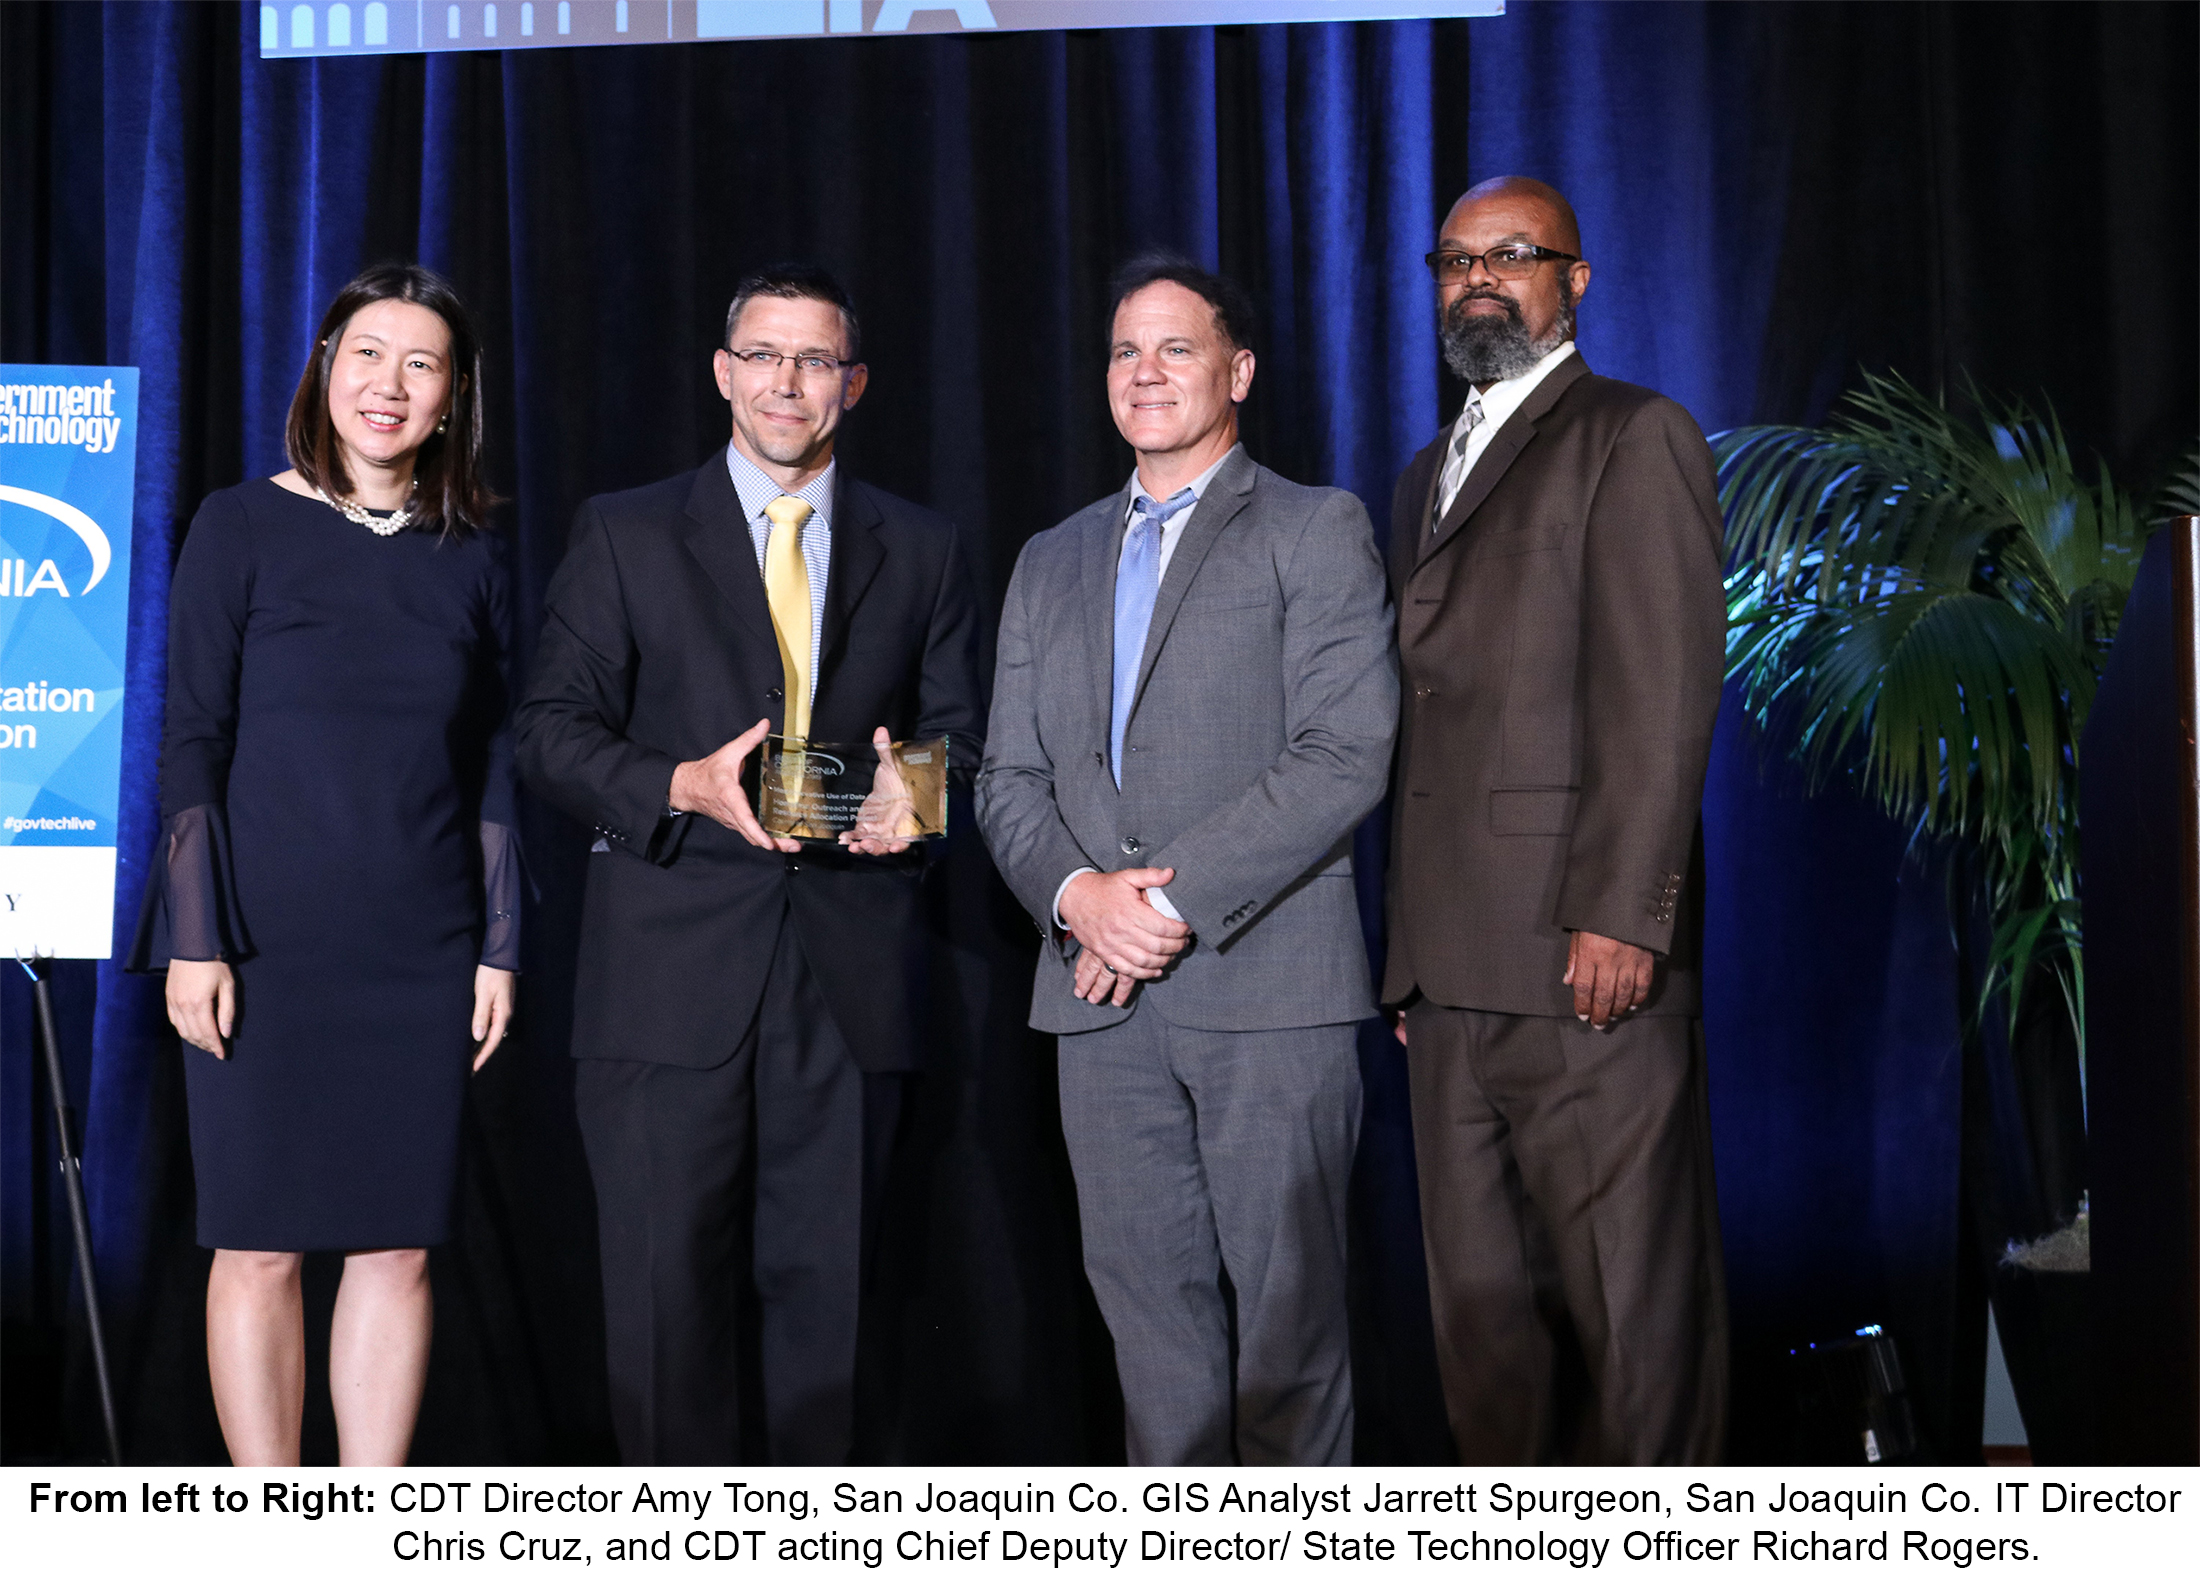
747, 1006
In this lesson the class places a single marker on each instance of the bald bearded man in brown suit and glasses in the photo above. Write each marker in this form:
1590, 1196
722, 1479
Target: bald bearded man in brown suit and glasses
1556, 566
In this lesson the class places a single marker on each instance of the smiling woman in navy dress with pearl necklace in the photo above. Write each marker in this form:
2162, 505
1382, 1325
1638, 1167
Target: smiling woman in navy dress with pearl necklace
338, 888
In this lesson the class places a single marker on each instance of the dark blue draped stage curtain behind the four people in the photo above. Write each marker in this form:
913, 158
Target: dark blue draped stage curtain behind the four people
1772, 197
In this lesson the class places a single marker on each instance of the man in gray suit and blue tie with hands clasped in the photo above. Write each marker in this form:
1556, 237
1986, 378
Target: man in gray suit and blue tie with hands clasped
1193, 712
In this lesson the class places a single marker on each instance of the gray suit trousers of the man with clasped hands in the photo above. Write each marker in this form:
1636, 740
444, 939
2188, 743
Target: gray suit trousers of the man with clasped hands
1211, 1191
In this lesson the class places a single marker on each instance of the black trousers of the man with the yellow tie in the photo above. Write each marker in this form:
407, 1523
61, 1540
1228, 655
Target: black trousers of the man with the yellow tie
736, 1213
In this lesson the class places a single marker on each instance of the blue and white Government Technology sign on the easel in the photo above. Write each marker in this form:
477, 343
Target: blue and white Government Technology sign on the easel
67, 470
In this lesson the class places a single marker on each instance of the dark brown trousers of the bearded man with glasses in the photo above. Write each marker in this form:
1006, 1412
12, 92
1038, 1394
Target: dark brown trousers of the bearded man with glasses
1567, 1185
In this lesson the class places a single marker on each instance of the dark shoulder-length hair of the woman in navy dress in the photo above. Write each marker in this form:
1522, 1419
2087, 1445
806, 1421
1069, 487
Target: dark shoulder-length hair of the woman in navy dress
450, 465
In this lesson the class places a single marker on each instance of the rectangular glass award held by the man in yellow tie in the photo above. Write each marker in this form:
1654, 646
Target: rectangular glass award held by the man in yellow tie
817, 791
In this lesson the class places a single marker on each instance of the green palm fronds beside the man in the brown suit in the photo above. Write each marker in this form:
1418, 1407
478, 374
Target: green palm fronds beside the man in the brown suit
1926, 604
